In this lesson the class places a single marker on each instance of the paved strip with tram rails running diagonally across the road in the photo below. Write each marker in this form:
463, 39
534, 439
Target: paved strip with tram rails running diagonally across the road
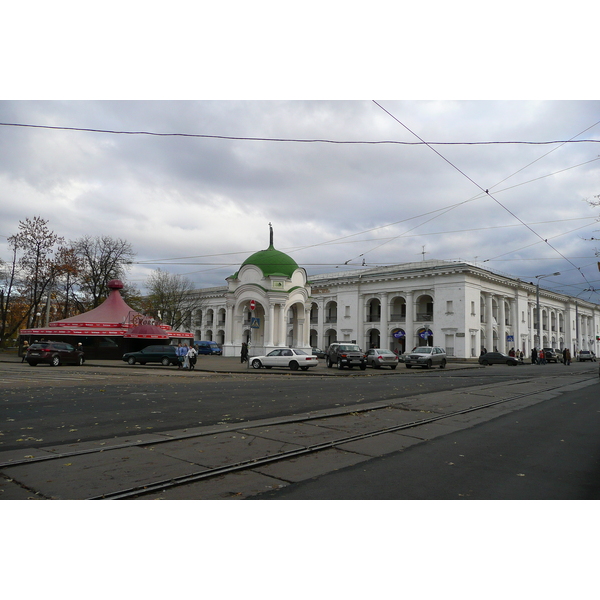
280, 447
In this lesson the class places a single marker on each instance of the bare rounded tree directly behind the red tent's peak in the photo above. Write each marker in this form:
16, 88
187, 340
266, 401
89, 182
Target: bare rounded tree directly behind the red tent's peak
102, 258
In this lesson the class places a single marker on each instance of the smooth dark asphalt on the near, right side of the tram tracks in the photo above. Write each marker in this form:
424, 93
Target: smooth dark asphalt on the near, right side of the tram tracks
548, 451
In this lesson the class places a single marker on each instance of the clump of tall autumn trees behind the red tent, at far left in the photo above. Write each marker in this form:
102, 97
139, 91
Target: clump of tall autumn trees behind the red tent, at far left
48, 277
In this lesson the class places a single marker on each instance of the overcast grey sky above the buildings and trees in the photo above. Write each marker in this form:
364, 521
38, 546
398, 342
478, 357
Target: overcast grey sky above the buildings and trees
199, 205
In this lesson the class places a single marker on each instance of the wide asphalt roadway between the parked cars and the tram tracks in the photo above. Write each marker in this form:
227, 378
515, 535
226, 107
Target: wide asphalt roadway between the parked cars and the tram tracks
48, 405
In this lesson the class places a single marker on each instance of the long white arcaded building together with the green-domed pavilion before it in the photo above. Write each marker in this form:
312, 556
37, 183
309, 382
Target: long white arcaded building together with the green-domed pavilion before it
457, 305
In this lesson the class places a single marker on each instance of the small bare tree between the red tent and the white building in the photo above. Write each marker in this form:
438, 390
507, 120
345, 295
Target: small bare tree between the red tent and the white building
169, 298
